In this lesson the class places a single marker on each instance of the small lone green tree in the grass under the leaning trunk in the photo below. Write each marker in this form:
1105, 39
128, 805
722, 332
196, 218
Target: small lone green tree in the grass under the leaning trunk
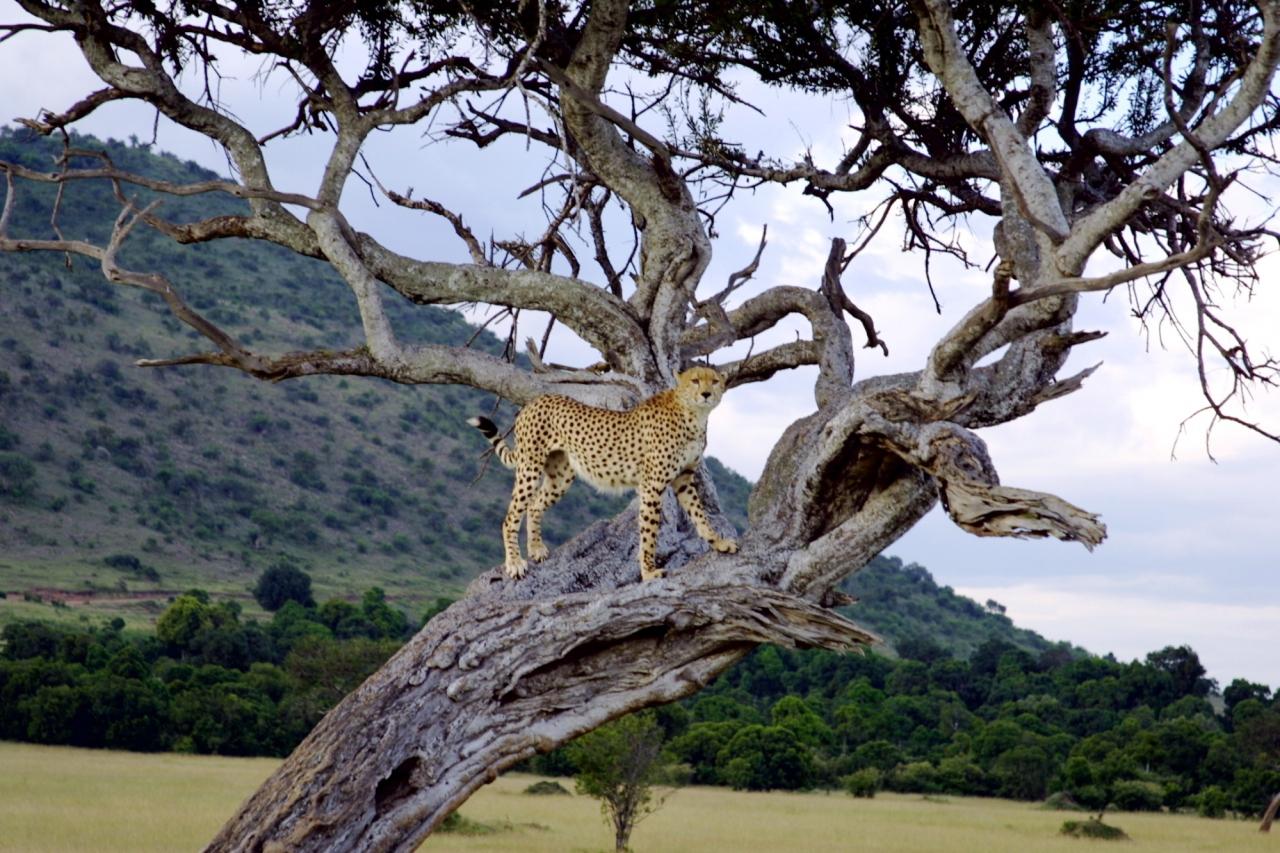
621, 765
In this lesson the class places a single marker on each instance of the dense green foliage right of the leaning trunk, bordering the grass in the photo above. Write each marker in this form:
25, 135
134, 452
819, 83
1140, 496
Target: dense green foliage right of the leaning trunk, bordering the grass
1141, 736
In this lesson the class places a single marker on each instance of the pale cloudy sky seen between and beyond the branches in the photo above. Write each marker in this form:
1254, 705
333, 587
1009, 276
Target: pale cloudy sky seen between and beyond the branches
1194, 544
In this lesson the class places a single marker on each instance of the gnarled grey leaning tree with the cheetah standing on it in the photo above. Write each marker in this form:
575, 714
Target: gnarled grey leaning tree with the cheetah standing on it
1076, 131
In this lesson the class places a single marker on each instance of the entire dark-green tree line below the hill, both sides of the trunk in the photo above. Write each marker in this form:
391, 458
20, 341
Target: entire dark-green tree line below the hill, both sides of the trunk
1137, 736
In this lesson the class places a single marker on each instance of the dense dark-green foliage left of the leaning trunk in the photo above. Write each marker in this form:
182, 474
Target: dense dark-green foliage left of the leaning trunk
207, 682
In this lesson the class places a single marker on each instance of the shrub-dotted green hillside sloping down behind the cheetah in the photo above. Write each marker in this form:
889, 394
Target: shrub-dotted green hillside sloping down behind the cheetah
126, 486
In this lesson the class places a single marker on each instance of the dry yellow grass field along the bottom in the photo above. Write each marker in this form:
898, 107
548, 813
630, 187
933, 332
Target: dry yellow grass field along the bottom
56, 799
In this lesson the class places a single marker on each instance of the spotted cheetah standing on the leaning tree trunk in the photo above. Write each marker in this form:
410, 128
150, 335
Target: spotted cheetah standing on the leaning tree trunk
648, 449
